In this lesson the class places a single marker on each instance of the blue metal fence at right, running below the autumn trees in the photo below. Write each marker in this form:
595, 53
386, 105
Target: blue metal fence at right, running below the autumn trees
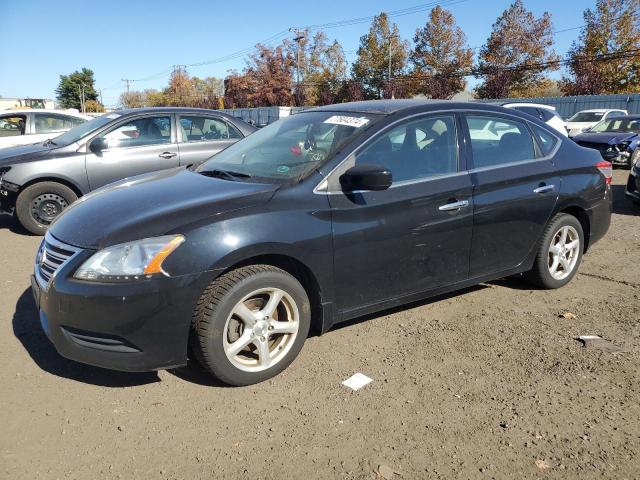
567, 106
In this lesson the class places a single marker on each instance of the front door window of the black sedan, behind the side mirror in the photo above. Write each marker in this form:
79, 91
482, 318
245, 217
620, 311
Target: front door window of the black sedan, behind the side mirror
416, 149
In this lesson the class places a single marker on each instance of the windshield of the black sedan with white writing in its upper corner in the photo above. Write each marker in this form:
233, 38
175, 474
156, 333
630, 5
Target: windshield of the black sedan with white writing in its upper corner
290, 148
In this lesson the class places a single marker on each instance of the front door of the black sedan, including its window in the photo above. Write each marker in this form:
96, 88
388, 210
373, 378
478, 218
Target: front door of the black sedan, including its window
416, 235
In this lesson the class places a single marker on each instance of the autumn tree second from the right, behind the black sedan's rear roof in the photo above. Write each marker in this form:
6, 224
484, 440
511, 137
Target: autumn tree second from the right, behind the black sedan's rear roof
512, 57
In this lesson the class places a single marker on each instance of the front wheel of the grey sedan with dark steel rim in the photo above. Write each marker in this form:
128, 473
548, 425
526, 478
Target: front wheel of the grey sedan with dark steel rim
40, 204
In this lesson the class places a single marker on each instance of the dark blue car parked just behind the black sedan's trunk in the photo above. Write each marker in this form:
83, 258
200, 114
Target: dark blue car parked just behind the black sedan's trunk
617, 139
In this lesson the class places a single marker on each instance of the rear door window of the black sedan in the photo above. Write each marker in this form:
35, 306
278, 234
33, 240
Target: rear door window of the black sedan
498, 141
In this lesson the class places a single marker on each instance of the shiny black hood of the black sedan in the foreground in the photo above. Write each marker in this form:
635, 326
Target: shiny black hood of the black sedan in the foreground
153, 204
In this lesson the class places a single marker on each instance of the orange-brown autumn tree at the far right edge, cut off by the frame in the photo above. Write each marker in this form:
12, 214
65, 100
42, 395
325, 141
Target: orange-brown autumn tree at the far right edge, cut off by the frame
611, 29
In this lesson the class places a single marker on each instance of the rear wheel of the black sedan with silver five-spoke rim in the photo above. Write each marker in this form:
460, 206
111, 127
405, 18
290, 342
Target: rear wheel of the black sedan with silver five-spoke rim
557, 261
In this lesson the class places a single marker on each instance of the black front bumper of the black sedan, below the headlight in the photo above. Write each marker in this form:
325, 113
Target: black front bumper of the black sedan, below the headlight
135, 327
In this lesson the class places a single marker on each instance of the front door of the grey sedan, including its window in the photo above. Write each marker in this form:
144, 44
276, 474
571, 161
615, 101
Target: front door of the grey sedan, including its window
134, 146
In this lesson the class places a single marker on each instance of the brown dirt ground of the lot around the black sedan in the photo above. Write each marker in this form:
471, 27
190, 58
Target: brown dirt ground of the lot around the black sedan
485, 383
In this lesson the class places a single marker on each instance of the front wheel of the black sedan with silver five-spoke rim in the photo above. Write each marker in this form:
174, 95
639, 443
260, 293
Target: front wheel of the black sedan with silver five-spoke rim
235, 319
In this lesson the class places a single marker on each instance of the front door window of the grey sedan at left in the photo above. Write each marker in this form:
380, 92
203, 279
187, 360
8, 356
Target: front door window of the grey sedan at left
140, 132
